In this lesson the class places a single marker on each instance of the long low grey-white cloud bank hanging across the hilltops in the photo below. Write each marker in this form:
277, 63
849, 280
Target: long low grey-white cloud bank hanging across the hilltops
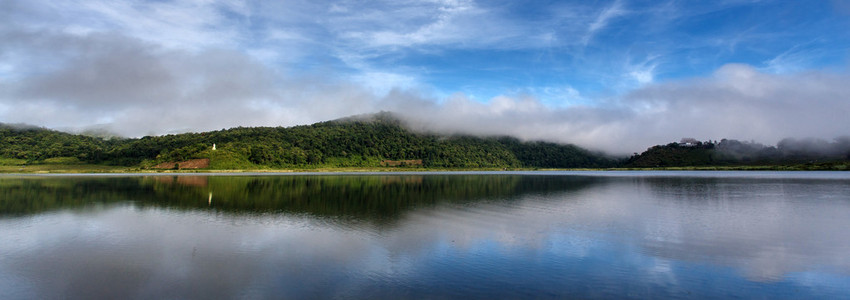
134, 88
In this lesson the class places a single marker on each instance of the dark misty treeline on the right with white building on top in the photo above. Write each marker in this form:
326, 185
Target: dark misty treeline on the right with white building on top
690, 152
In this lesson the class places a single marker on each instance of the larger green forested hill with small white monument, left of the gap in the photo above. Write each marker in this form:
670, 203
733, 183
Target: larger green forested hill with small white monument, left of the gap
364, 141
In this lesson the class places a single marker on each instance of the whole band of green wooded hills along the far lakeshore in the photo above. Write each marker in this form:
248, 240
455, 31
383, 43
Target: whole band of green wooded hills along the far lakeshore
374, 140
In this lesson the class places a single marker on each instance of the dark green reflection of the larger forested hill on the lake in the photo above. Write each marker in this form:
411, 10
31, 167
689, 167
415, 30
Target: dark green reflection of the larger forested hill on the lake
370, 197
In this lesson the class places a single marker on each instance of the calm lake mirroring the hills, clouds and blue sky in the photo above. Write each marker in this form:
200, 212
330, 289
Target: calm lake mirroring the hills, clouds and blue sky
483, 235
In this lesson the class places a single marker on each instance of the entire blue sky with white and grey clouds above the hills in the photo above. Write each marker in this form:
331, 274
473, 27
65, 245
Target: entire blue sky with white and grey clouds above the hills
617, 76
